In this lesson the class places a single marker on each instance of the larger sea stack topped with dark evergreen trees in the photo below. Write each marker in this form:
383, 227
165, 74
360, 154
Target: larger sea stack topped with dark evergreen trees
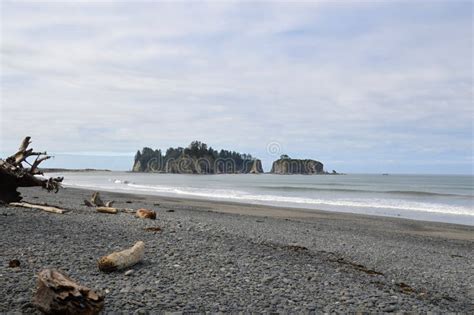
197, 158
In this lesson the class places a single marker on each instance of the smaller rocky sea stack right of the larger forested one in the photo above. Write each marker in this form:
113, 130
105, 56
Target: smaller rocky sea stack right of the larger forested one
287, 166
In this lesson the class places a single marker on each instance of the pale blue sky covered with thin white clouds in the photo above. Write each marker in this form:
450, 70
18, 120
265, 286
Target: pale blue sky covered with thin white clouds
363, 86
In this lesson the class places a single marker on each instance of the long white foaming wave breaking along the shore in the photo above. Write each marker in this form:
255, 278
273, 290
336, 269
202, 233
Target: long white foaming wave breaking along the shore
278, 200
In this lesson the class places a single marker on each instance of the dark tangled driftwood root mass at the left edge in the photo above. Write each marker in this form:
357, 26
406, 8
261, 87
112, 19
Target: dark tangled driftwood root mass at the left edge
13, 173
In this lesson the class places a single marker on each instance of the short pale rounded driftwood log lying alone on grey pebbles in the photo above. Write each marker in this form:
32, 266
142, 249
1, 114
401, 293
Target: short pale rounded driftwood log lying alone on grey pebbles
124, 259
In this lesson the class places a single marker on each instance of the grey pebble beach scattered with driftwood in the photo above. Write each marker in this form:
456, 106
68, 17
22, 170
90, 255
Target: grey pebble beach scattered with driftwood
215, 256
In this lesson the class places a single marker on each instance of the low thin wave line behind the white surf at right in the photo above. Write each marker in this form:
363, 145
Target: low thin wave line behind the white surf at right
397, 192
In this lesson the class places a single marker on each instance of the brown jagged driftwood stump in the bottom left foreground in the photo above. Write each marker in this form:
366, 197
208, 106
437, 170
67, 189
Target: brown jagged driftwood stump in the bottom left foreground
59, 294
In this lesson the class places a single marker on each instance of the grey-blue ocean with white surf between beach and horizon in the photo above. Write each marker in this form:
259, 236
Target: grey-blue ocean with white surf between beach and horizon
442, 198
